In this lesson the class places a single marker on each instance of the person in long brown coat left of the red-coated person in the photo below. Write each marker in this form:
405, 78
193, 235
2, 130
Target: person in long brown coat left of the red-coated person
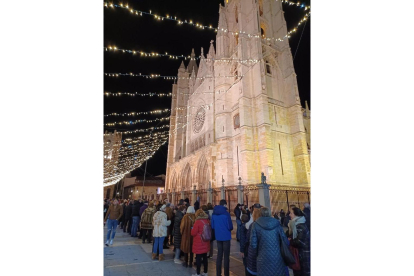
186, 239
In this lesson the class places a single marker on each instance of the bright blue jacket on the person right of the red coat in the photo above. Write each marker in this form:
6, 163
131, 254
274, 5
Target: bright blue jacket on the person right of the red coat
221, 223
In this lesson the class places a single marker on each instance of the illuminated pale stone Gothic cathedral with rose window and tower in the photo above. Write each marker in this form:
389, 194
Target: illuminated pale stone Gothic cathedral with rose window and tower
237, 113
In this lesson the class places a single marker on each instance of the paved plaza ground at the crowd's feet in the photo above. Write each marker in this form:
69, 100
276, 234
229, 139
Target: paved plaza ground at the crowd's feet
129, 257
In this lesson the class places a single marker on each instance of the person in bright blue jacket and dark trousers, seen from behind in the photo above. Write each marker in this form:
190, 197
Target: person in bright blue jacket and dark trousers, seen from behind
222, 225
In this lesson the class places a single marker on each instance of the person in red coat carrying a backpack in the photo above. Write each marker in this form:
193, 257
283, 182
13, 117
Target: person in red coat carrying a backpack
201, 233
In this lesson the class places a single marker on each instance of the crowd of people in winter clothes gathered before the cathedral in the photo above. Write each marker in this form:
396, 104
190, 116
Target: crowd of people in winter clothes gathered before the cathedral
265, 248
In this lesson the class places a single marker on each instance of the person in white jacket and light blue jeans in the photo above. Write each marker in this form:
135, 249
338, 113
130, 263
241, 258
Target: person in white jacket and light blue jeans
160, 224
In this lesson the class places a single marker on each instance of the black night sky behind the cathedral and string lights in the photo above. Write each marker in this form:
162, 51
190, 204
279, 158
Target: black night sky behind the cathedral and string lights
144, 33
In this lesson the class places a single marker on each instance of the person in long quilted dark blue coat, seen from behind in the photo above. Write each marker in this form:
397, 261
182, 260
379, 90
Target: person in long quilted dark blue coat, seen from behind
265, 238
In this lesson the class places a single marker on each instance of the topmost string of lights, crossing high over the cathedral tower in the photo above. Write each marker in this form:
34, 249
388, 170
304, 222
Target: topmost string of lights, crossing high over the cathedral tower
210, 27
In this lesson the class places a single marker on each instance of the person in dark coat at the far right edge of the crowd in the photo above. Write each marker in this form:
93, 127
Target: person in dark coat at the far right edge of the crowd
300, 238
